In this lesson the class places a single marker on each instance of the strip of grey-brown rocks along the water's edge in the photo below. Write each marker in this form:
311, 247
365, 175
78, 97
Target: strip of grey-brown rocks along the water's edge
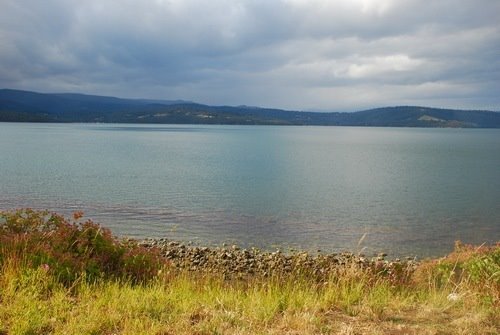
235, 262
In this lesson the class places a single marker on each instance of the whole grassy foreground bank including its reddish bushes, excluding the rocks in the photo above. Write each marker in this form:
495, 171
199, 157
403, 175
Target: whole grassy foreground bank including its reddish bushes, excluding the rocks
61, 276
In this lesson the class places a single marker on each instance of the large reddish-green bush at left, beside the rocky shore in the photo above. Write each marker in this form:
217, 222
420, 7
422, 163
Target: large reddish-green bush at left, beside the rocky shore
72, 249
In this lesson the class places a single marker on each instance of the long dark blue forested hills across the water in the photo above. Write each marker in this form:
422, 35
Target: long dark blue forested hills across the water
25, 106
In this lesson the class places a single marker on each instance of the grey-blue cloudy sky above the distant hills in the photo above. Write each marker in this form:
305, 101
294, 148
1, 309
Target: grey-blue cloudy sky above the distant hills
337, 55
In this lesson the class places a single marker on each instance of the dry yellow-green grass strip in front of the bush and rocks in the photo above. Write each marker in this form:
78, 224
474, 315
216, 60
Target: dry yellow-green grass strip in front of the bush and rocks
32, 302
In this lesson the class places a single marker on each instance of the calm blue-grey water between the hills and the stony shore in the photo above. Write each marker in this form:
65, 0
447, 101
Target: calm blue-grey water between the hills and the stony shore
411, 191
